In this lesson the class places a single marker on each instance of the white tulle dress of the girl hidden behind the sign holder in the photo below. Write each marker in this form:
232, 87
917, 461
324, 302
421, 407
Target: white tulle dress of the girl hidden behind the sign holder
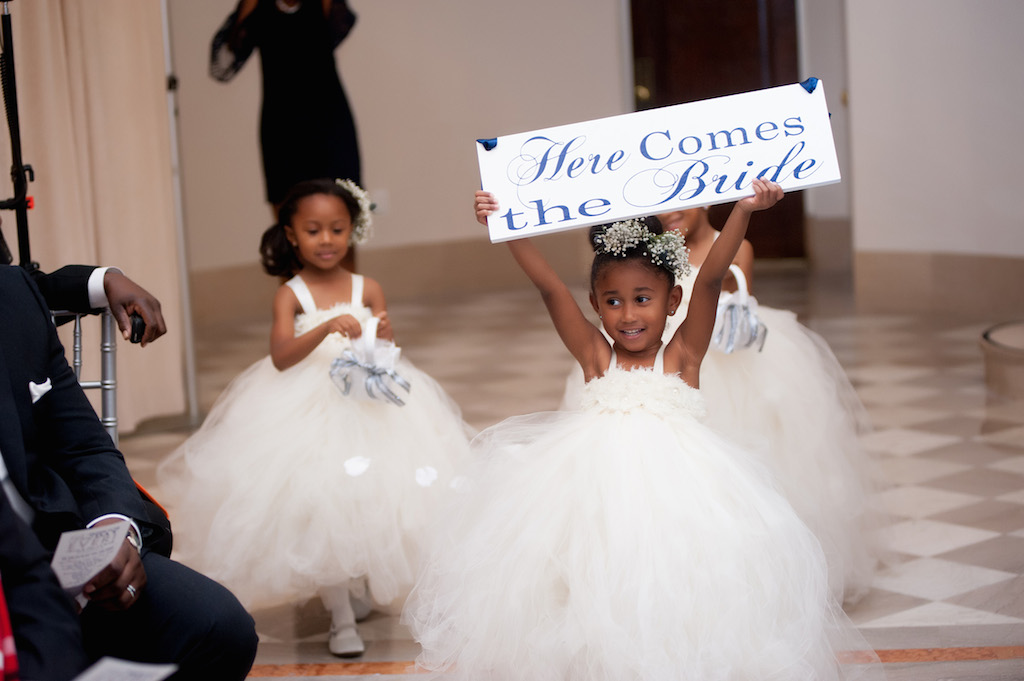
793, 405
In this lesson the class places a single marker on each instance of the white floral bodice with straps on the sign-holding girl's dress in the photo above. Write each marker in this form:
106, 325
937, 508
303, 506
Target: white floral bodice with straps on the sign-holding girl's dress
649, 391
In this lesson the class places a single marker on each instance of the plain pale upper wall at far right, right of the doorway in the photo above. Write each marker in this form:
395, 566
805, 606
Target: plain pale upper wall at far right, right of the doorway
937, 99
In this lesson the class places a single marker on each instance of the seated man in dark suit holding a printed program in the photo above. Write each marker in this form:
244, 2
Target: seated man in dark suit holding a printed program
62, 464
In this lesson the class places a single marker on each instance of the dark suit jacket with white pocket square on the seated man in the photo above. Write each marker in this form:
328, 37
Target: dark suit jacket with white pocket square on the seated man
57, 451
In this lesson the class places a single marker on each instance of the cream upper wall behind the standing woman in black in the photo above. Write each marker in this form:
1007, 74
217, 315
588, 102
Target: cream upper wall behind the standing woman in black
425, 78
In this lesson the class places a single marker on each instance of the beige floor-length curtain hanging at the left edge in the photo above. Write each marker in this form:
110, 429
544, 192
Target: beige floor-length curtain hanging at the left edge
95, 127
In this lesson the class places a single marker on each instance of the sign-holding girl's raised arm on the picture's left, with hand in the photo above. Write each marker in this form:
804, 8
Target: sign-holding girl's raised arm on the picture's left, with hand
580, 336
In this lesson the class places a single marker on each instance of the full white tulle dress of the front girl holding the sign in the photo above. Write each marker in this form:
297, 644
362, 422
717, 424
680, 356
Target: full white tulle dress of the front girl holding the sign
625, 541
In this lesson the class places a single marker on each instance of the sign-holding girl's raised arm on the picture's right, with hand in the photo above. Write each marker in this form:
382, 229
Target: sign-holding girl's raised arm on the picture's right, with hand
696, 331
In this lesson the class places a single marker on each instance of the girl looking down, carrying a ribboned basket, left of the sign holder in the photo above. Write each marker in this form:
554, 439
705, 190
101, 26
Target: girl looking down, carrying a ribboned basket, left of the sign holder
322, 464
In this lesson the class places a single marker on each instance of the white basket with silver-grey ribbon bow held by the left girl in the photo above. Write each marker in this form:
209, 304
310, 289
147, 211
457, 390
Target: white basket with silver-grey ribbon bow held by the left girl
367, 370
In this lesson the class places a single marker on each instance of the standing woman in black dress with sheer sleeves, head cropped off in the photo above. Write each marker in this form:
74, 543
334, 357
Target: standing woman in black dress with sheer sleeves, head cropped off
307, 127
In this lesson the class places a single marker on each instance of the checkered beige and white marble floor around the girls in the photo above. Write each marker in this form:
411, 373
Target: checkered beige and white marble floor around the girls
950, 603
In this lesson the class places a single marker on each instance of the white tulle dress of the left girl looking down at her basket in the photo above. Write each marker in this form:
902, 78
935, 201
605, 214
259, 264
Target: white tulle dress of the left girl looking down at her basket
289, 486
